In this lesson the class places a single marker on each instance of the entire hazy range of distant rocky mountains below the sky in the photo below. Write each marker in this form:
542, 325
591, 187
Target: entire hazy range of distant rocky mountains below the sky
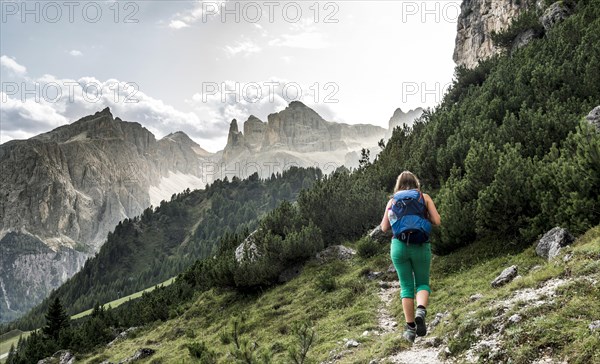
64, 190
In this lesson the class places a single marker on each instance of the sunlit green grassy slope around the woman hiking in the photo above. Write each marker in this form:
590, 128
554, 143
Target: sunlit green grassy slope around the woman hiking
558, 328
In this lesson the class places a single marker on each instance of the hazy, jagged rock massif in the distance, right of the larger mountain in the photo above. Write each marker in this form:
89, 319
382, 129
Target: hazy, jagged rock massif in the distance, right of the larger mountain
295, 136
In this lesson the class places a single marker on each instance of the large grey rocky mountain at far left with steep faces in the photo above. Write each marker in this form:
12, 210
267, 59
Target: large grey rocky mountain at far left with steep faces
69, 187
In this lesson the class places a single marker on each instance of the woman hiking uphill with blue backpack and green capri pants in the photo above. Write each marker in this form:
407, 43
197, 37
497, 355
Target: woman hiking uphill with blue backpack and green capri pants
410, 214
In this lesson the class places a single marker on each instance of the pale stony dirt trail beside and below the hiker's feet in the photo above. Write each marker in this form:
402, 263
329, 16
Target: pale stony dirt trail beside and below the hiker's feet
419, 353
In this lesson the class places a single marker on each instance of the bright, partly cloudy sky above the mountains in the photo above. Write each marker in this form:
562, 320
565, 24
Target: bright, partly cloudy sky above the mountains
196, 65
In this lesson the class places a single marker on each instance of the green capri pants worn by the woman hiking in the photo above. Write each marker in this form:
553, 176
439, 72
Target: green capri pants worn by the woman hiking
412, 263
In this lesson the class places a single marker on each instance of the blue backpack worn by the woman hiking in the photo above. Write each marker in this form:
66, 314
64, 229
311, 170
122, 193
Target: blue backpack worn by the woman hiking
408, 217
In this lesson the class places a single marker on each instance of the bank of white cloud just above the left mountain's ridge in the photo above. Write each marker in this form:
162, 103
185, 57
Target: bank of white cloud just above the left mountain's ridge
67, 100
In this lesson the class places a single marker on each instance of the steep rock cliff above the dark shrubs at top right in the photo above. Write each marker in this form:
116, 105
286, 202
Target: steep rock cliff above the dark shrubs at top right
477, 20
